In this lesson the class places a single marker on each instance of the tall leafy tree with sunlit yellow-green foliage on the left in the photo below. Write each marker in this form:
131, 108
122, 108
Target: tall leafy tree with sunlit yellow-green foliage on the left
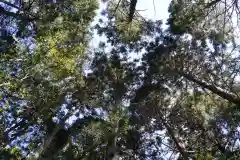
35, 88
